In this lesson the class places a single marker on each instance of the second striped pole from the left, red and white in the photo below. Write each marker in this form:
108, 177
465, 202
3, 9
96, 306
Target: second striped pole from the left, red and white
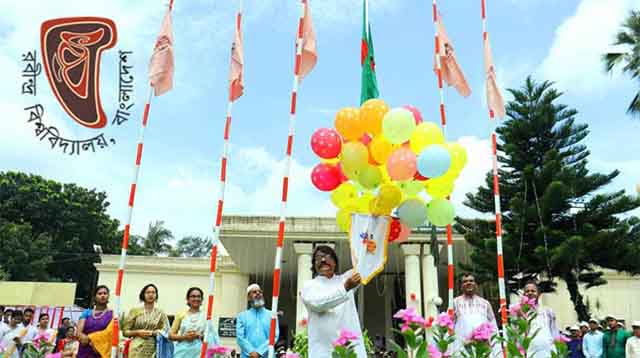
221, 191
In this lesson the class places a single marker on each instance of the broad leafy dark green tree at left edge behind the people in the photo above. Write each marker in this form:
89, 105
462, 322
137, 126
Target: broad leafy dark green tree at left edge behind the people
74, 218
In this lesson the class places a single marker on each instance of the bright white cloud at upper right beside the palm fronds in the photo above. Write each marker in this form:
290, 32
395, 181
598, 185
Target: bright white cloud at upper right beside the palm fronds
574, 60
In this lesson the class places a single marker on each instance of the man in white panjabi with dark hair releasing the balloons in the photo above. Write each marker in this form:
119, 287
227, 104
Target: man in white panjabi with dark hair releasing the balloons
330, 302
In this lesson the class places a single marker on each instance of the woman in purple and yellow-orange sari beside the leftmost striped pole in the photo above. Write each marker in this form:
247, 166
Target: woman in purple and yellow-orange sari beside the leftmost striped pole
94, 326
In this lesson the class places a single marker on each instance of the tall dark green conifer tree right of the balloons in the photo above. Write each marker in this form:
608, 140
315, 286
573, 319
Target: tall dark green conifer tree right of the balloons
558, 222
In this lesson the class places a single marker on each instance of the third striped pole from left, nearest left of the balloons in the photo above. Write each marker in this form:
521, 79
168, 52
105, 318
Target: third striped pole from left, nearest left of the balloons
285, 181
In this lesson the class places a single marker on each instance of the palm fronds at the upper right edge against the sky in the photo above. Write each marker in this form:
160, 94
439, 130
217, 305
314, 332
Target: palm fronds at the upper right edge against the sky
628, 37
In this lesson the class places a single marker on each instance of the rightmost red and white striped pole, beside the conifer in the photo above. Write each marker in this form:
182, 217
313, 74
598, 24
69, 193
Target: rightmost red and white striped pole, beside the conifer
496, 193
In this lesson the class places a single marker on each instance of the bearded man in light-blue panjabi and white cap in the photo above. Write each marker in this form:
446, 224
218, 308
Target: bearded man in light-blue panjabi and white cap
253, 325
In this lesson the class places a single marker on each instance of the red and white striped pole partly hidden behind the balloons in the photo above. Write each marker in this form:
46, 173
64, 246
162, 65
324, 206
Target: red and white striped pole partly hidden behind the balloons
443, 121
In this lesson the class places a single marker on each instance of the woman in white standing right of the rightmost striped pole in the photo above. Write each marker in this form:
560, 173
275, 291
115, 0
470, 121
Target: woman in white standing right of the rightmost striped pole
545, 322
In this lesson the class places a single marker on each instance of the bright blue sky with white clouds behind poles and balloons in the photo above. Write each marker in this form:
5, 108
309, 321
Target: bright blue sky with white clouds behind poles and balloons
560, 41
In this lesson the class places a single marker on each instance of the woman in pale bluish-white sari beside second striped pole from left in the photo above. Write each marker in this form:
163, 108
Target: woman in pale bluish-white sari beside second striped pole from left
189, 328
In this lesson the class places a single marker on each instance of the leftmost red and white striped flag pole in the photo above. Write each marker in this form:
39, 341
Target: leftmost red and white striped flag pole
127, 227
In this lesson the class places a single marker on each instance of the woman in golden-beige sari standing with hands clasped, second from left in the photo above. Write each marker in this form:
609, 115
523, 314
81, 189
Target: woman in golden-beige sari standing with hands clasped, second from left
143, 324
